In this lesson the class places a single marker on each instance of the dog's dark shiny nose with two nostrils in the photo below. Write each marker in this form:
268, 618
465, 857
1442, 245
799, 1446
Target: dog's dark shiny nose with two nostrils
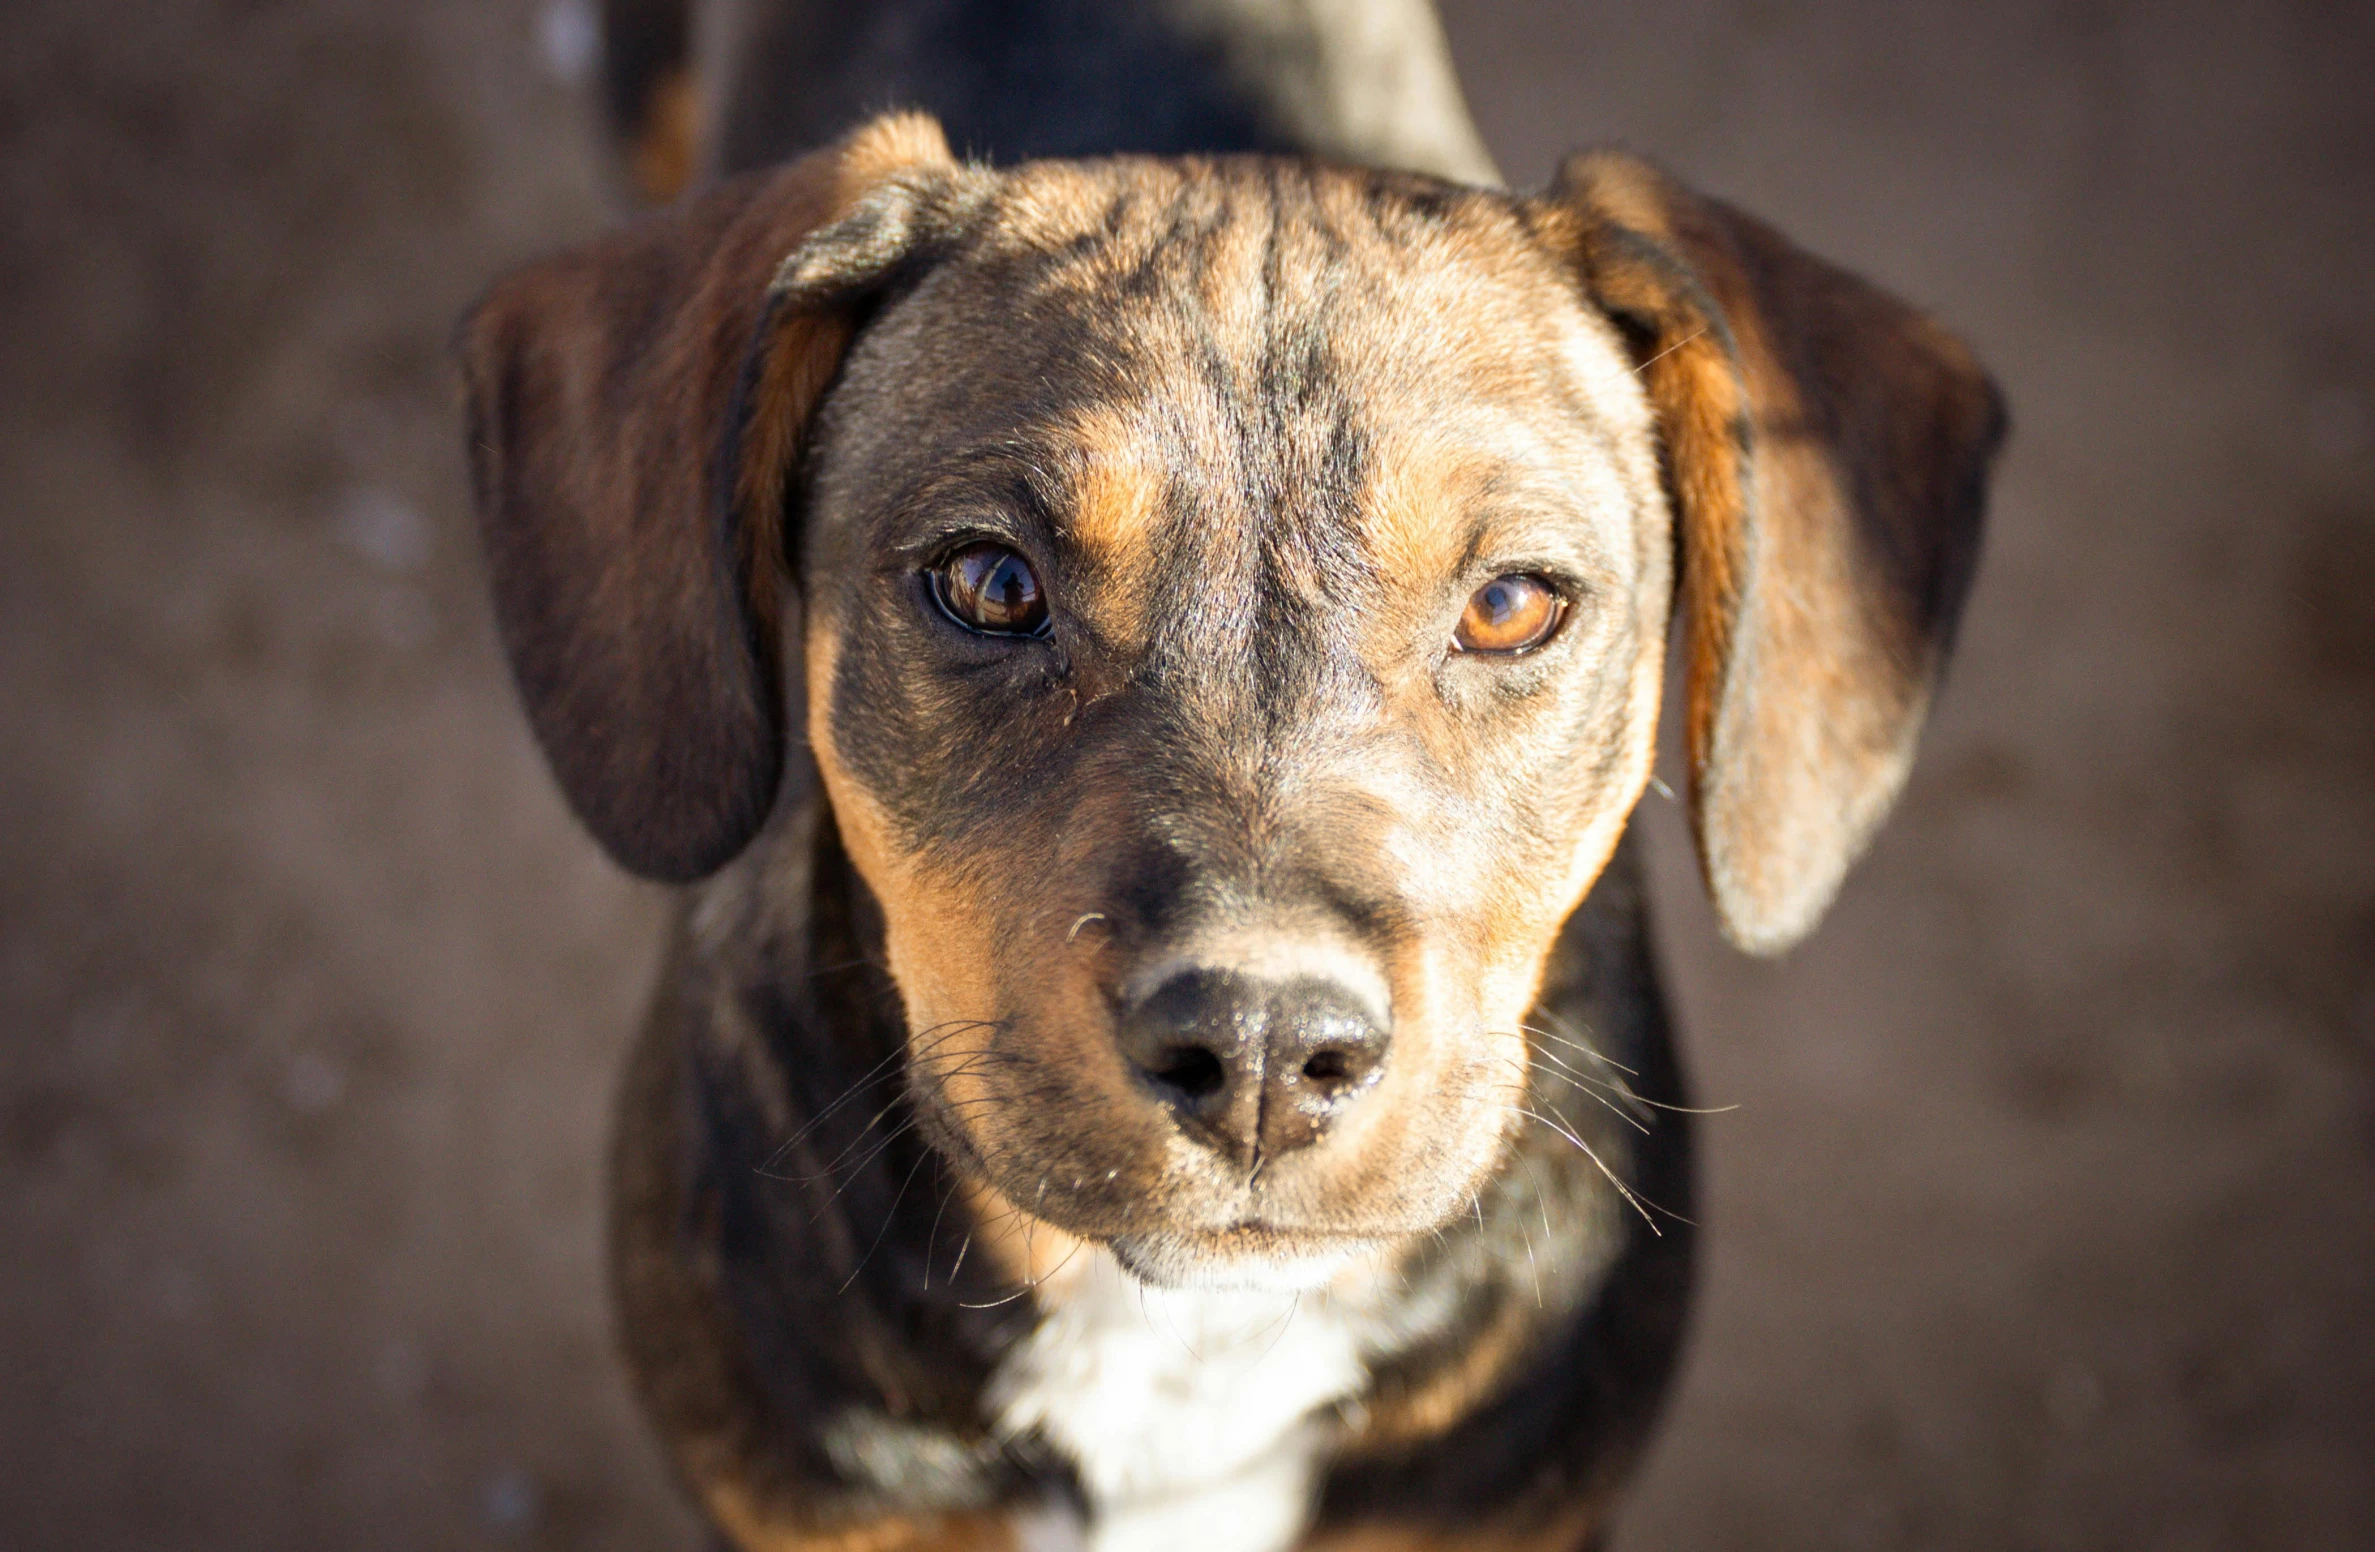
1250, 1064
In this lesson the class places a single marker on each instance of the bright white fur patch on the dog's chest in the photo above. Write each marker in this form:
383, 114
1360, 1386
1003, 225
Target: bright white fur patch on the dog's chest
1186, 1413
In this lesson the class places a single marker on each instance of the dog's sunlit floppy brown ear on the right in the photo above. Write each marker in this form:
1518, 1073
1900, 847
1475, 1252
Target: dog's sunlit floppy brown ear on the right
1828, 453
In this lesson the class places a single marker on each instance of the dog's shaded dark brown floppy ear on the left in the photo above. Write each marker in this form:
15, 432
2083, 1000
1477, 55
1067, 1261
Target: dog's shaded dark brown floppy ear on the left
635, 412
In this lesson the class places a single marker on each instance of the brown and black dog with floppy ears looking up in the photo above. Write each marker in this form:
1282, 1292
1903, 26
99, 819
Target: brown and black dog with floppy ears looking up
1146, 667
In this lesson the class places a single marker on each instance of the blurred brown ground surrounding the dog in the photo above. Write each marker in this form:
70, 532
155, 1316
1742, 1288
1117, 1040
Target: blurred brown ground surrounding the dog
2048, 1216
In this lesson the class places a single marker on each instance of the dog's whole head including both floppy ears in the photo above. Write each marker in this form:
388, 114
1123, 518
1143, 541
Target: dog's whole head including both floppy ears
1224, 605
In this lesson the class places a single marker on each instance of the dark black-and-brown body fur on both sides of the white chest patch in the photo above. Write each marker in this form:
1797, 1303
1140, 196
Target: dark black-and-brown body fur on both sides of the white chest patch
811, 1313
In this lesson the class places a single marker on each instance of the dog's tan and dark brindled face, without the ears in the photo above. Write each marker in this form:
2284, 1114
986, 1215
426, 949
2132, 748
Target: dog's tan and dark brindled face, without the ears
1234, 633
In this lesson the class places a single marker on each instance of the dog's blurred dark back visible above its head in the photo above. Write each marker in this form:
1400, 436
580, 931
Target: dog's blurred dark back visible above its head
1362, 82
